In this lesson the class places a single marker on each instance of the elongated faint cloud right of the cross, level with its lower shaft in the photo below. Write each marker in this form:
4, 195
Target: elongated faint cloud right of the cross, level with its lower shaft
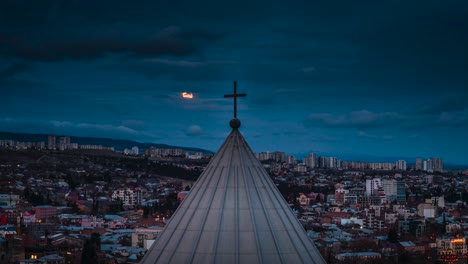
355, 119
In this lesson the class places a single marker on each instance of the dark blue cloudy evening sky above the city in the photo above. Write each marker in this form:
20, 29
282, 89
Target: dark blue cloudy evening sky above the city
378, 78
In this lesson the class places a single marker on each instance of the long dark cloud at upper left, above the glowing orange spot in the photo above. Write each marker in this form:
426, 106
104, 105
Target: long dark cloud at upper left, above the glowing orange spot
173, 41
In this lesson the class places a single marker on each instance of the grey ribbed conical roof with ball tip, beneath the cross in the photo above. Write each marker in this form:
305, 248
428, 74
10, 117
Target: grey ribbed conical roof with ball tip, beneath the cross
233, 214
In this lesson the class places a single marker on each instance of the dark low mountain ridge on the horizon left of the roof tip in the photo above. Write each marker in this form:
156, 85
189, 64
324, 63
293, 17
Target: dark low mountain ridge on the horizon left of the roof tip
118, 144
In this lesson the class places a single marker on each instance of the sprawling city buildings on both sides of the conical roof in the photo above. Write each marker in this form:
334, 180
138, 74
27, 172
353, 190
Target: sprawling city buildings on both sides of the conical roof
55, 195
